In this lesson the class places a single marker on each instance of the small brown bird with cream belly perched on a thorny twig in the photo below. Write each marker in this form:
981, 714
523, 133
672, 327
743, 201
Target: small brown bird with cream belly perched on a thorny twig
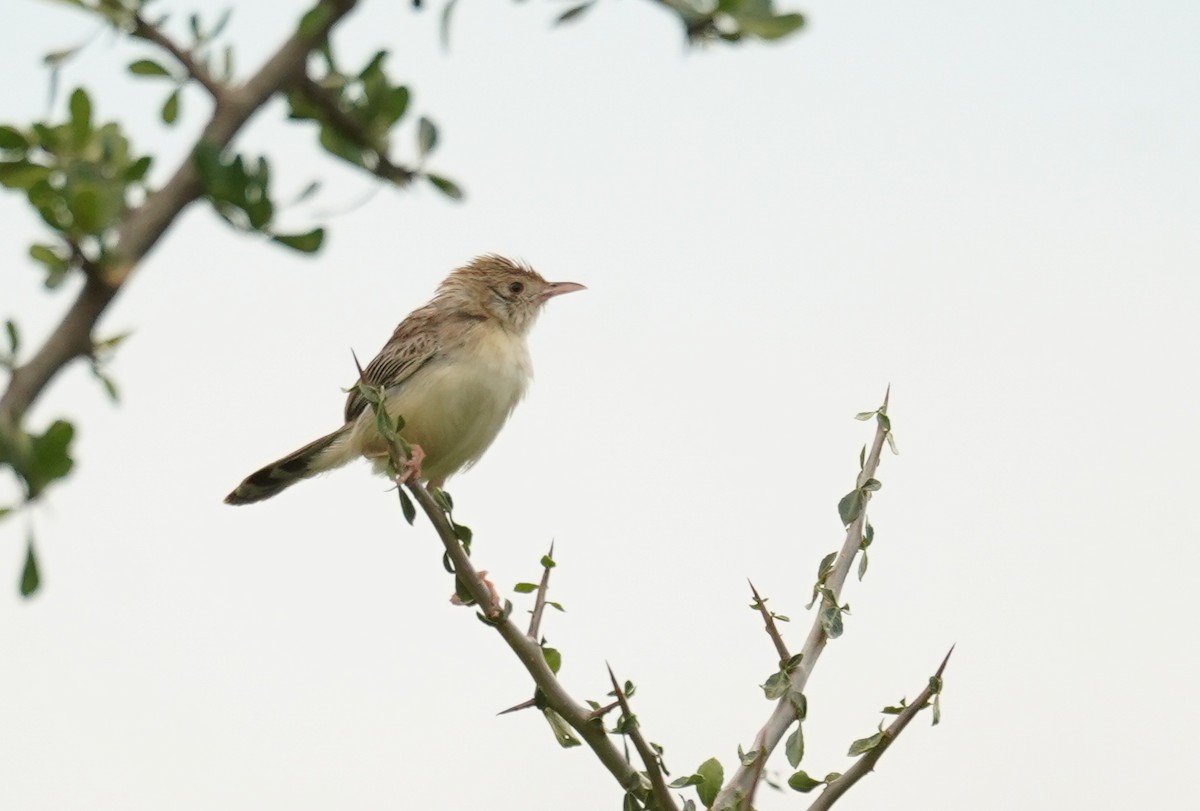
454, 370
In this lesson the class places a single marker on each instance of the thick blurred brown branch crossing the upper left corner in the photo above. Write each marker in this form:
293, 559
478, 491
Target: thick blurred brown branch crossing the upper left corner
143, 227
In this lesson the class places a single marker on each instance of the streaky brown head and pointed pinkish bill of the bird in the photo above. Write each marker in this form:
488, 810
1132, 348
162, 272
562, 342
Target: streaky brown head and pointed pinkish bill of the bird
503, 290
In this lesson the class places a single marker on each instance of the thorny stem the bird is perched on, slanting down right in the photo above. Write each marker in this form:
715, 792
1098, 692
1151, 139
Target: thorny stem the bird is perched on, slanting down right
580, 718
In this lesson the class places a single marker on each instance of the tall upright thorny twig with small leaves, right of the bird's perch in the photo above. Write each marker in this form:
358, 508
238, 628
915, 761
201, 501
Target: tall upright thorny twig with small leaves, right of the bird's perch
741, 784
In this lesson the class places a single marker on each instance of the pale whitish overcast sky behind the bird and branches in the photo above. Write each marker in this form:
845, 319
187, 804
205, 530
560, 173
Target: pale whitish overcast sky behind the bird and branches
992, 208
